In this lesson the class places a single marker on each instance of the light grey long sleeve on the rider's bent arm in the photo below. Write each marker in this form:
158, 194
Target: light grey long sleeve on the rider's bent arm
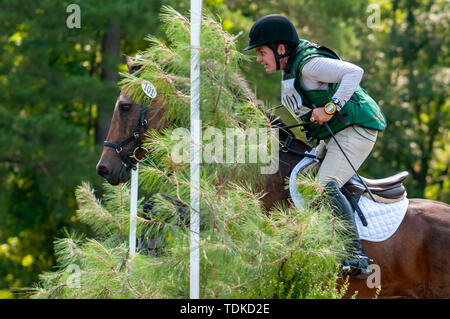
318, 72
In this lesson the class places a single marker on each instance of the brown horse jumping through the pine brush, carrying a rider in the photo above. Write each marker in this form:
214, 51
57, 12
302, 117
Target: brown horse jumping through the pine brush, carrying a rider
414, 262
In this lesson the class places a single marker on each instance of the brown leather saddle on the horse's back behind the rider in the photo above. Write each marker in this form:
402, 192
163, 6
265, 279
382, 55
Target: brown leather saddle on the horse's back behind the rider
385, 190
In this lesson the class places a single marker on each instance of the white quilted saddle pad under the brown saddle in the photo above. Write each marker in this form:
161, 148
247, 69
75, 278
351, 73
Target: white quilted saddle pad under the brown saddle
382, 219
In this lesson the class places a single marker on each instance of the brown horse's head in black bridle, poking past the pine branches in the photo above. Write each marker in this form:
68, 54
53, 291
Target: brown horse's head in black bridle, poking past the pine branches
123, 146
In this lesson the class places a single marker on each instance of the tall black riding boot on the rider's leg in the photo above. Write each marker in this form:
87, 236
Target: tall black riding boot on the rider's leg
357, 264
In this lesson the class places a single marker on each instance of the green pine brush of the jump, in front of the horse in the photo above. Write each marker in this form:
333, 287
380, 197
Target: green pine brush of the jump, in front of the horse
245, 251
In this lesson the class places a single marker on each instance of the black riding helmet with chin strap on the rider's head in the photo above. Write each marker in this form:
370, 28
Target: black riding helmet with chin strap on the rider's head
271, 29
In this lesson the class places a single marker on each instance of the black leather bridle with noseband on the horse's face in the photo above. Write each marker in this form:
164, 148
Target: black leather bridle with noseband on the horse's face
127, 159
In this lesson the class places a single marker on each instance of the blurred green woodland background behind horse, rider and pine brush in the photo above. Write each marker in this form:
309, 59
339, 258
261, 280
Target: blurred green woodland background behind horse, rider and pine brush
58, 87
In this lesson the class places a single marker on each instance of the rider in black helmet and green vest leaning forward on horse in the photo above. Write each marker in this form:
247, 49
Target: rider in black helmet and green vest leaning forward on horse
317, 86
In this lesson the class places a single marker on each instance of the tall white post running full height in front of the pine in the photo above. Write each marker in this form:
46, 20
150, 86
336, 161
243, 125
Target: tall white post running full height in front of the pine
196, 18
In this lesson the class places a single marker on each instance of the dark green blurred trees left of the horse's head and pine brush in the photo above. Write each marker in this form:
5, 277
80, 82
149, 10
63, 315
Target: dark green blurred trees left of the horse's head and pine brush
58, 92
